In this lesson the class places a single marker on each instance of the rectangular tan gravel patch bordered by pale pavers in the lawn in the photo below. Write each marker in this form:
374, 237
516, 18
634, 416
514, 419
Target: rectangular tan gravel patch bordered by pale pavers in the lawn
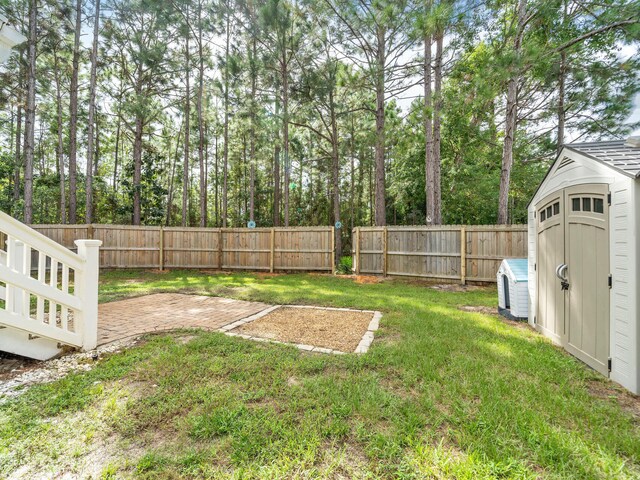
339, 330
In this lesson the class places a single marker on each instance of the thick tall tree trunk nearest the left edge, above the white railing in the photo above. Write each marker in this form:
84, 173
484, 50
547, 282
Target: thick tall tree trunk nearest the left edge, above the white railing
31, 114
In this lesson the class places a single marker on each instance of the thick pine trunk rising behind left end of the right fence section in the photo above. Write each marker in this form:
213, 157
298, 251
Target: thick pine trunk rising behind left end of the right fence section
380, 201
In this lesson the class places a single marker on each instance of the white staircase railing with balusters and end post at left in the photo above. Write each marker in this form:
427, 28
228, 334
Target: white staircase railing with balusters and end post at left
48, 294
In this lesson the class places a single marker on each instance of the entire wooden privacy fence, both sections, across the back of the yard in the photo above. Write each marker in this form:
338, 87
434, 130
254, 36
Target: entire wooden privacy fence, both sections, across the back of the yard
416, 251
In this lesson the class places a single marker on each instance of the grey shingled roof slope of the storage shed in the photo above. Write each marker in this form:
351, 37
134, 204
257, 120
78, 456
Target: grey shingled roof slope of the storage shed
613, 153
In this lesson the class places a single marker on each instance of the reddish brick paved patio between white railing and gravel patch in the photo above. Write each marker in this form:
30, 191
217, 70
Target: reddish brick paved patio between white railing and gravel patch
166, 311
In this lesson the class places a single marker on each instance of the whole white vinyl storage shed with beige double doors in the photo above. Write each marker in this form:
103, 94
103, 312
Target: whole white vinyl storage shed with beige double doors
584, 256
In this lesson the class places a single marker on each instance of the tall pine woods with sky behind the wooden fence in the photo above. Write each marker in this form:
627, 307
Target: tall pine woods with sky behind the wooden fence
294, 112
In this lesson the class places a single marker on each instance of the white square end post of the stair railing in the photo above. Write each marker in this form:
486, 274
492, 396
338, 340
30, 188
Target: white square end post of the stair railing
86, 286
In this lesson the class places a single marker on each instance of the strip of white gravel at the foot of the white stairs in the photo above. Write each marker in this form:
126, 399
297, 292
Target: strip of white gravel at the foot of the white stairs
51, 370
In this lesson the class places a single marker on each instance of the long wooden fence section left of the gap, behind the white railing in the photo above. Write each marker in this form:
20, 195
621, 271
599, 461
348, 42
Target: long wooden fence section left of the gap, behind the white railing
268, 249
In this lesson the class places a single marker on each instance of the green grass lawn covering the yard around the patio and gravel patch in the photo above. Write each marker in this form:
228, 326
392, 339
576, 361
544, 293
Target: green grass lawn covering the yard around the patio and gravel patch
443, 393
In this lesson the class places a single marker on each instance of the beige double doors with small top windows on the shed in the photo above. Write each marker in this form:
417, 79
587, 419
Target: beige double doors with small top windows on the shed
573, 230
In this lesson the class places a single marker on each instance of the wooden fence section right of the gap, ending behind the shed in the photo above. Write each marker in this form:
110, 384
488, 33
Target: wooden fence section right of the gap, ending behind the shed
463, 253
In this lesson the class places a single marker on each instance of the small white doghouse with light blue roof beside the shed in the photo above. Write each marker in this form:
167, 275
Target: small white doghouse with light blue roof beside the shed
513, 291
